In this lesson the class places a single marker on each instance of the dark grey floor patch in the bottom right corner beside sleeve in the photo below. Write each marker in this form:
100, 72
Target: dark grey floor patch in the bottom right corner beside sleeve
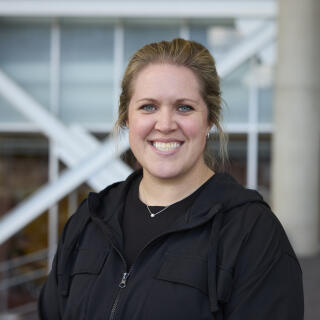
311, 284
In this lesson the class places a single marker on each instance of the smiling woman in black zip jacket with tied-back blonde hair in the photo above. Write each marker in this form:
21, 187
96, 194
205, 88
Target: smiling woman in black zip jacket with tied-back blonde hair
176, 240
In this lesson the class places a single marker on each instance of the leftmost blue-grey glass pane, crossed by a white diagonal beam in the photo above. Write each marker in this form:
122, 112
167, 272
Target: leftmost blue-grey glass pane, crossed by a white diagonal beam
25, 51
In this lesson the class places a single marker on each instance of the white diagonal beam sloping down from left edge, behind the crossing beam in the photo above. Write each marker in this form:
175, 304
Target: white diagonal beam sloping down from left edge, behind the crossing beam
72, 147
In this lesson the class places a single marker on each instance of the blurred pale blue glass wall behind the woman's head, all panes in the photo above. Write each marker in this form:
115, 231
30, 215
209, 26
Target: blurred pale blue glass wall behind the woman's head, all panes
85, 65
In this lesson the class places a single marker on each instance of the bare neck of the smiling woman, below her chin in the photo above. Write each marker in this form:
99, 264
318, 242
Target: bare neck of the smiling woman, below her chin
155, 191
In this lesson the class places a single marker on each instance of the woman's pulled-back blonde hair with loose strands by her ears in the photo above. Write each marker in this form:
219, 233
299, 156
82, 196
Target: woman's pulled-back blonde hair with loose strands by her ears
193, 56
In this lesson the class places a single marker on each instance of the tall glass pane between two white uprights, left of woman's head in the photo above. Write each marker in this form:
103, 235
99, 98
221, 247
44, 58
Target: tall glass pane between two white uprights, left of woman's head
87, 72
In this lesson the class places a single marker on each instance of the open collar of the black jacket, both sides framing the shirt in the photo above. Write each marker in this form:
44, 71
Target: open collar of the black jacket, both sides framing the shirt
221, 193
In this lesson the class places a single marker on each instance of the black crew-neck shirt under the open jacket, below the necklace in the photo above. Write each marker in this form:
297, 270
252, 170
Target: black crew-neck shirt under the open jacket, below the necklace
137, 225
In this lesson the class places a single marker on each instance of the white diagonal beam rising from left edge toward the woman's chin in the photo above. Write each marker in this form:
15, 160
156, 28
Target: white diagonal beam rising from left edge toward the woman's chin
46, 196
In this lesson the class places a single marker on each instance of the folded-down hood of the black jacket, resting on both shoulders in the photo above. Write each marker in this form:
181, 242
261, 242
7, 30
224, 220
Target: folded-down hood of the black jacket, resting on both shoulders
222, 189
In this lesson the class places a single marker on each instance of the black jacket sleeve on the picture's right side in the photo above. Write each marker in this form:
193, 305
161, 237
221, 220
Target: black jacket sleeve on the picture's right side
267, 278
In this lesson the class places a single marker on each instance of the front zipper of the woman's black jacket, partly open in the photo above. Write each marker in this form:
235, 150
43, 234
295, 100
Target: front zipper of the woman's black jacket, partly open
125, 275
